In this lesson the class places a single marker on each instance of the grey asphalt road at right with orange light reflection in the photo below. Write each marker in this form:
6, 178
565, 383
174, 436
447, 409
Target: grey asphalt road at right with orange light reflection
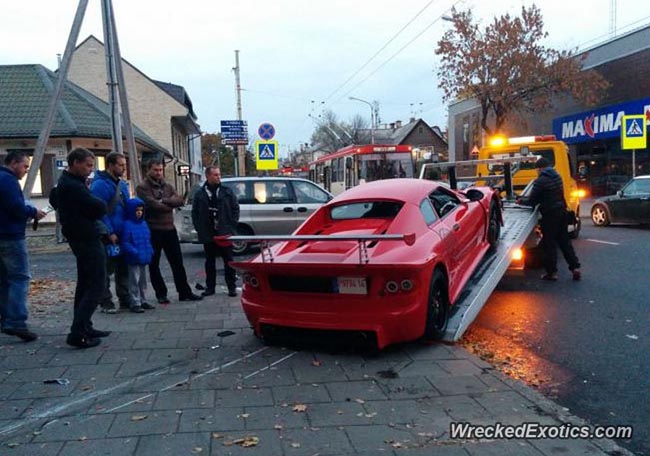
583, 343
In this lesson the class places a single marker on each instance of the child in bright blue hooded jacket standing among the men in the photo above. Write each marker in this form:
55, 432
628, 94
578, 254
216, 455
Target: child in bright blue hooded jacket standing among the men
136, 245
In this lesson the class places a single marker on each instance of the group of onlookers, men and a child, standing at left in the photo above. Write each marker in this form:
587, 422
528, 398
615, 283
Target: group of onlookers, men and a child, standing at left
110, 233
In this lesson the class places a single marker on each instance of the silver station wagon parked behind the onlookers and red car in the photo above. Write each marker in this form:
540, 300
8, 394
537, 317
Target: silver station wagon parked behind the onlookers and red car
268, 205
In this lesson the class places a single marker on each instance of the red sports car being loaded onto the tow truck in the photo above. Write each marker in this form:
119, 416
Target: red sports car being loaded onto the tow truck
387, 258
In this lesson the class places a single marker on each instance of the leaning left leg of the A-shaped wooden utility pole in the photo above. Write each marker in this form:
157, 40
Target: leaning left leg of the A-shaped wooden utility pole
44, 135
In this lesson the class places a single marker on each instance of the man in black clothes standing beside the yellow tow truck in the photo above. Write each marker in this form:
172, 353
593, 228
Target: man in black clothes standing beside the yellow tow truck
548, 192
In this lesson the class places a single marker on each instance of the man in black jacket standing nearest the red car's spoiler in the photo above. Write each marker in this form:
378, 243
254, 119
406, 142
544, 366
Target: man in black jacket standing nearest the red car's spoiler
215, 211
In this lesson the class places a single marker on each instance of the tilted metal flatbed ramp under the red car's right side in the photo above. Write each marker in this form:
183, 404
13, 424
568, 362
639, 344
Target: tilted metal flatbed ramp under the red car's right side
518, 223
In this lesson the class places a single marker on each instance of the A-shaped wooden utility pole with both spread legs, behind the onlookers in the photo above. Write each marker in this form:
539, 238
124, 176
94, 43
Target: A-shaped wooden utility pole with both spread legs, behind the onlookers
120, 116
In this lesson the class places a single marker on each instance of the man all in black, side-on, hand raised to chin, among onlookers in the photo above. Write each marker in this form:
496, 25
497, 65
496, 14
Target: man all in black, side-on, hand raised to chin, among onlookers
80, 213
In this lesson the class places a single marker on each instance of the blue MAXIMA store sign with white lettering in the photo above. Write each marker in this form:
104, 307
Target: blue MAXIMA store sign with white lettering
600, 123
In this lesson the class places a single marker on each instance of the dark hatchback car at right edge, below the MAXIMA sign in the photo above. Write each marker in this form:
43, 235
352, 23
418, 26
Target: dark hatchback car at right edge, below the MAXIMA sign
631, 204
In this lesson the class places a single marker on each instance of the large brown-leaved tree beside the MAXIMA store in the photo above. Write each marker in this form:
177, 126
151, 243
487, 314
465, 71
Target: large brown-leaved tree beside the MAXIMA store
506, 69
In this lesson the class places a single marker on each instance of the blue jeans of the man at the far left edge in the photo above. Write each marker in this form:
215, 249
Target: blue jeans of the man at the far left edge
14, 283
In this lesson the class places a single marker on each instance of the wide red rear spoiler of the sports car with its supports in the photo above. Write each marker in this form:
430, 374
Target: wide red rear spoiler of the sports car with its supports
266, 241
